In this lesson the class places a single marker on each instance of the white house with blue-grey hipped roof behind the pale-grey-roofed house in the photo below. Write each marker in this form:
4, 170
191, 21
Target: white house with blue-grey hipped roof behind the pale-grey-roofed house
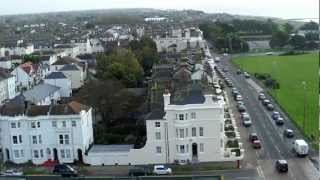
60, 80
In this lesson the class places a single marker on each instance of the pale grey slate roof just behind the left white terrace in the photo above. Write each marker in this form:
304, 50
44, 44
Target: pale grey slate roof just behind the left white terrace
39, 92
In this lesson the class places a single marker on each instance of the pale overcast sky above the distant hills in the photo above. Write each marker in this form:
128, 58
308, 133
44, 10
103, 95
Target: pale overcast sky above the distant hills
274, 8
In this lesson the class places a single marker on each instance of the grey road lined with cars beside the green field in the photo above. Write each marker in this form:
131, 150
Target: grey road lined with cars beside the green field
274, 144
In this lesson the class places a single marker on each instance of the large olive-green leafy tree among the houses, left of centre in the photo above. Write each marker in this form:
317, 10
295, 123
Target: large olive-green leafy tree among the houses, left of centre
121, 65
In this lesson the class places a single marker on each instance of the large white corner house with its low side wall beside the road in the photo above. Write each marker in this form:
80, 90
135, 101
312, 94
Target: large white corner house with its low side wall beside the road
189, 130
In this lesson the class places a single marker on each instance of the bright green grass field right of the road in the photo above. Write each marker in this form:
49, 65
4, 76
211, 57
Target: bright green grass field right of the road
290, 72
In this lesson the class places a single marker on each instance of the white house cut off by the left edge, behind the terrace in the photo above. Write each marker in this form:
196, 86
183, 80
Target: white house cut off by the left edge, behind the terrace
7, 85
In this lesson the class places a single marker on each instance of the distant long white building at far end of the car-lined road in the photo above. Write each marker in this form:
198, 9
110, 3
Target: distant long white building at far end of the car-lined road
181, 39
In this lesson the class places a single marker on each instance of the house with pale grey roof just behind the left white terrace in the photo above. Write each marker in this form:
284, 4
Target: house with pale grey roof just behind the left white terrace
43, 94
